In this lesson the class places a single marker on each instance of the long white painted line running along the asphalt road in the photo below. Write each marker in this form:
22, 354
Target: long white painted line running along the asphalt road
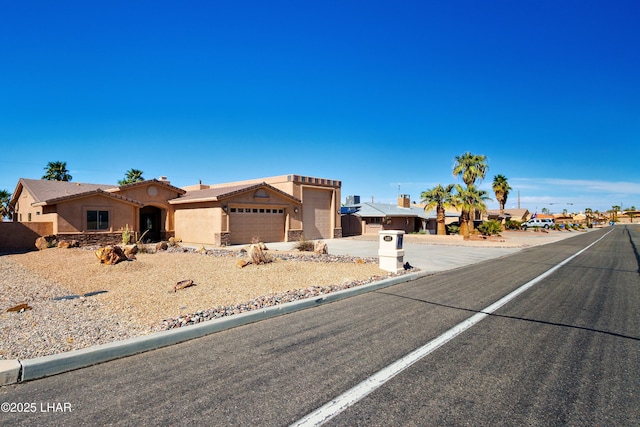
357, 393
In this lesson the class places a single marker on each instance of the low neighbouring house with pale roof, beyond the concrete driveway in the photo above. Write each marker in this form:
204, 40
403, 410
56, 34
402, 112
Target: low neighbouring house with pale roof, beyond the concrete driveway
370, 218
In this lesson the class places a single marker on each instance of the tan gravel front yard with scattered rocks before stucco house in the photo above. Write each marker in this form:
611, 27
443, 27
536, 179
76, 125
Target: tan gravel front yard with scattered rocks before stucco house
135, 297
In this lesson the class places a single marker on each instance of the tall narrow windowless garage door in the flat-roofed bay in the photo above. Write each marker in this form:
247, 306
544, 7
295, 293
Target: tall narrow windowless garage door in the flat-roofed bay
316, 207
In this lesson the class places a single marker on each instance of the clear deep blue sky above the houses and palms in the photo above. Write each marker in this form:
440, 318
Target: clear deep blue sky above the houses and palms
380, 95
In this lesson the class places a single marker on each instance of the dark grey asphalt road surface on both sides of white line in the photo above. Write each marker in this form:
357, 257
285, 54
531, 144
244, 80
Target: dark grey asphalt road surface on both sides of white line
565, 352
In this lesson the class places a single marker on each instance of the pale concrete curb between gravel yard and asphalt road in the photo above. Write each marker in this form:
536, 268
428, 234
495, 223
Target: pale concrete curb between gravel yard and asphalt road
15, 371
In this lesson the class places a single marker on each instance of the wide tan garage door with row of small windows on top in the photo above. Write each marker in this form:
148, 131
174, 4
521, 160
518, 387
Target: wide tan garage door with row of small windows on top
262, 223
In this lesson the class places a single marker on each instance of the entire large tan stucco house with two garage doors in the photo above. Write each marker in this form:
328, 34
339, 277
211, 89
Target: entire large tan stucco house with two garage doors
282, 208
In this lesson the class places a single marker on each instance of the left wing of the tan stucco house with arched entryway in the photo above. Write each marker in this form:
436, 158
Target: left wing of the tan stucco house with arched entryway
94, 212
